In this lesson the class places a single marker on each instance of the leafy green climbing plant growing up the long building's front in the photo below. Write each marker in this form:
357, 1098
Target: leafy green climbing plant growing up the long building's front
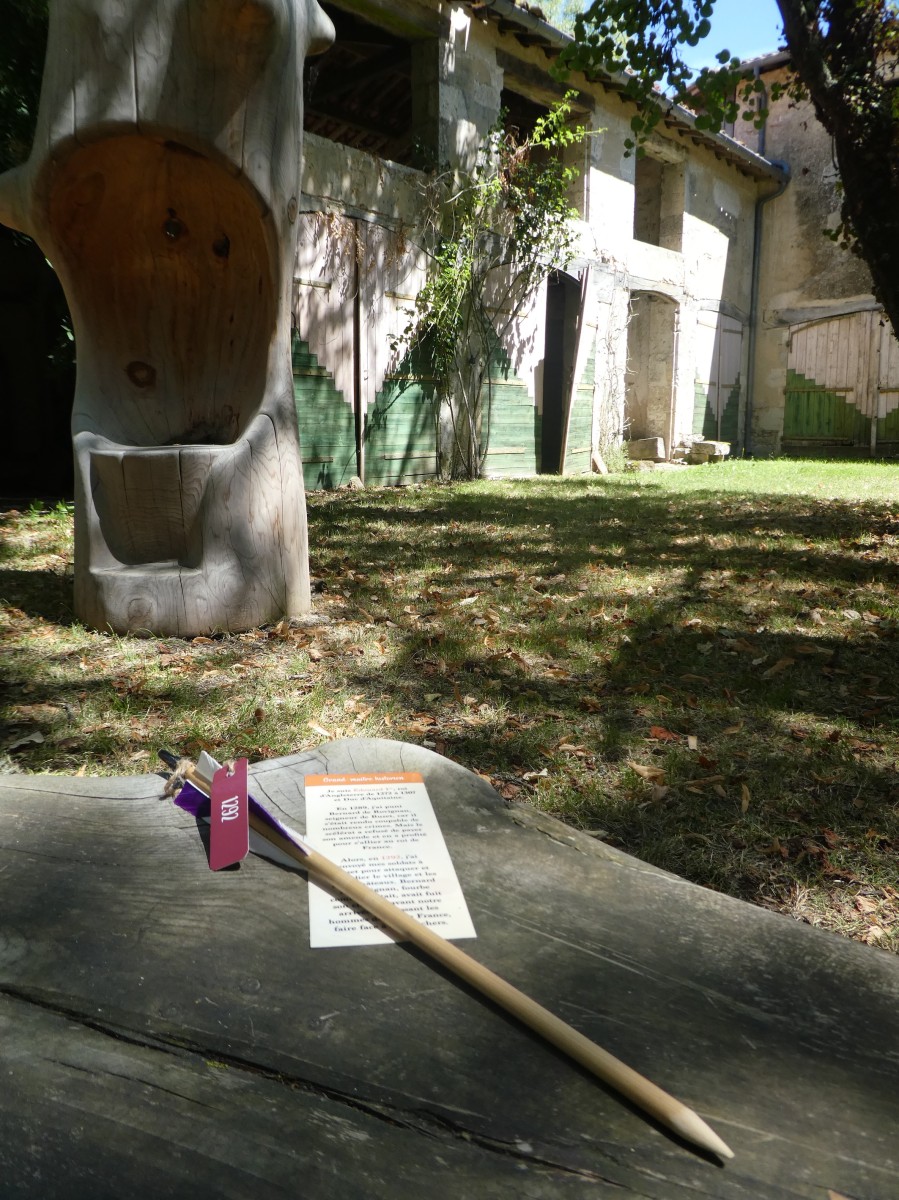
493, 236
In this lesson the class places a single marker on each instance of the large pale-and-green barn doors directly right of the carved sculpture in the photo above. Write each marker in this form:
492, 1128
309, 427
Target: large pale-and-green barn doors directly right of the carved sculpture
359, 410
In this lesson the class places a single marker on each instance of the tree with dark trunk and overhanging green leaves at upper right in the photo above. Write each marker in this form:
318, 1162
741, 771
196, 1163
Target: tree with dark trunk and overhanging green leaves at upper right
844, 56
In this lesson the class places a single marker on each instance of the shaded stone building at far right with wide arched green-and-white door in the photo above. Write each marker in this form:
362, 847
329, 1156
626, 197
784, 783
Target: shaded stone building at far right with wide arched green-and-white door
826, 371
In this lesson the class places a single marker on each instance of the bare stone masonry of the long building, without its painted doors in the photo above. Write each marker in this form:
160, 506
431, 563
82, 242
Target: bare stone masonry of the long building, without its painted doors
668, 239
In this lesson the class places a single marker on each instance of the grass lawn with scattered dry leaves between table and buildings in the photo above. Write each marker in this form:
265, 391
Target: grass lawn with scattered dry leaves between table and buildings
698, 667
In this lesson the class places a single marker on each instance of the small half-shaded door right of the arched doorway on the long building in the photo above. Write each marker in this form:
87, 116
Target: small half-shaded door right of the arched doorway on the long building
720, 355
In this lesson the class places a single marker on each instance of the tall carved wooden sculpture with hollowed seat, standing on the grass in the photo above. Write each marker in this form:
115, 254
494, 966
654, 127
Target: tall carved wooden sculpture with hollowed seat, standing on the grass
164, 187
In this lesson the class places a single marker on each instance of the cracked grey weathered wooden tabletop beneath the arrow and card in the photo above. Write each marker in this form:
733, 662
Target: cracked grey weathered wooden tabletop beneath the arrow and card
169, 1029
